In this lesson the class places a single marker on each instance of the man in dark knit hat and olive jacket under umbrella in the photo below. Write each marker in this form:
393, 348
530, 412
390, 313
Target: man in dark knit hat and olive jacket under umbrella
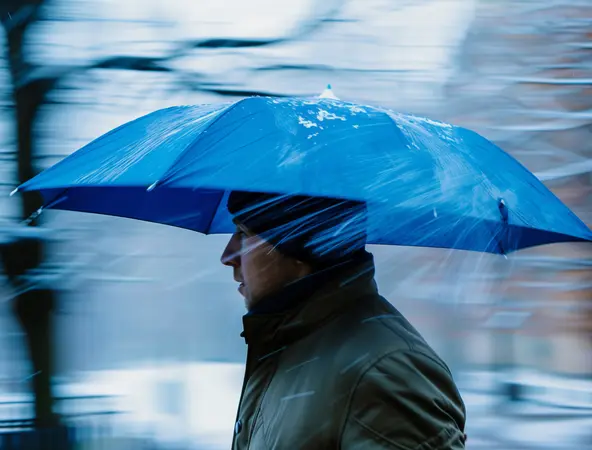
330, 364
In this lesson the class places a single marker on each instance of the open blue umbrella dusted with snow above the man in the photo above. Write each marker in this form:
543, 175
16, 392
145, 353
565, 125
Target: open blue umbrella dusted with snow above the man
426, 183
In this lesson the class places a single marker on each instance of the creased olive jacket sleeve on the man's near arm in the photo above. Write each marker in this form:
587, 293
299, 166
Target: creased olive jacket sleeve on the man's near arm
405, 401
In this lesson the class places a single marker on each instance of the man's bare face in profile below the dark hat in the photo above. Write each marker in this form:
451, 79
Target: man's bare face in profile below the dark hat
258, 267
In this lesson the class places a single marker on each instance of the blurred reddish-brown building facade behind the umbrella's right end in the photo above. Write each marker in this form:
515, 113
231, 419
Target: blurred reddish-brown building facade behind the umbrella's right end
525, 80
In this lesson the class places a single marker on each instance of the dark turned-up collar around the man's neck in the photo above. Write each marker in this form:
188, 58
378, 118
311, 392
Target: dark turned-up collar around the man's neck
303, 306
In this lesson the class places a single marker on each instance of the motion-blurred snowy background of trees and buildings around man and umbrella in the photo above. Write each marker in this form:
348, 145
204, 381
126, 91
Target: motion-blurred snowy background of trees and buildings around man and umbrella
136, 326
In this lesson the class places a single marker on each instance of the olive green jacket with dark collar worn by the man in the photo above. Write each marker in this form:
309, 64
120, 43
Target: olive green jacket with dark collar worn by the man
343, 369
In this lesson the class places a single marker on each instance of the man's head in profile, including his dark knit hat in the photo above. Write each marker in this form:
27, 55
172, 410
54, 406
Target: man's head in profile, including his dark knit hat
280, 239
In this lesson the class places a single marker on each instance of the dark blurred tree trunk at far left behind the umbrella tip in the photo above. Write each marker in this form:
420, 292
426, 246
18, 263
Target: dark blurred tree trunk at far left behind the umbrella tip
33, 306
